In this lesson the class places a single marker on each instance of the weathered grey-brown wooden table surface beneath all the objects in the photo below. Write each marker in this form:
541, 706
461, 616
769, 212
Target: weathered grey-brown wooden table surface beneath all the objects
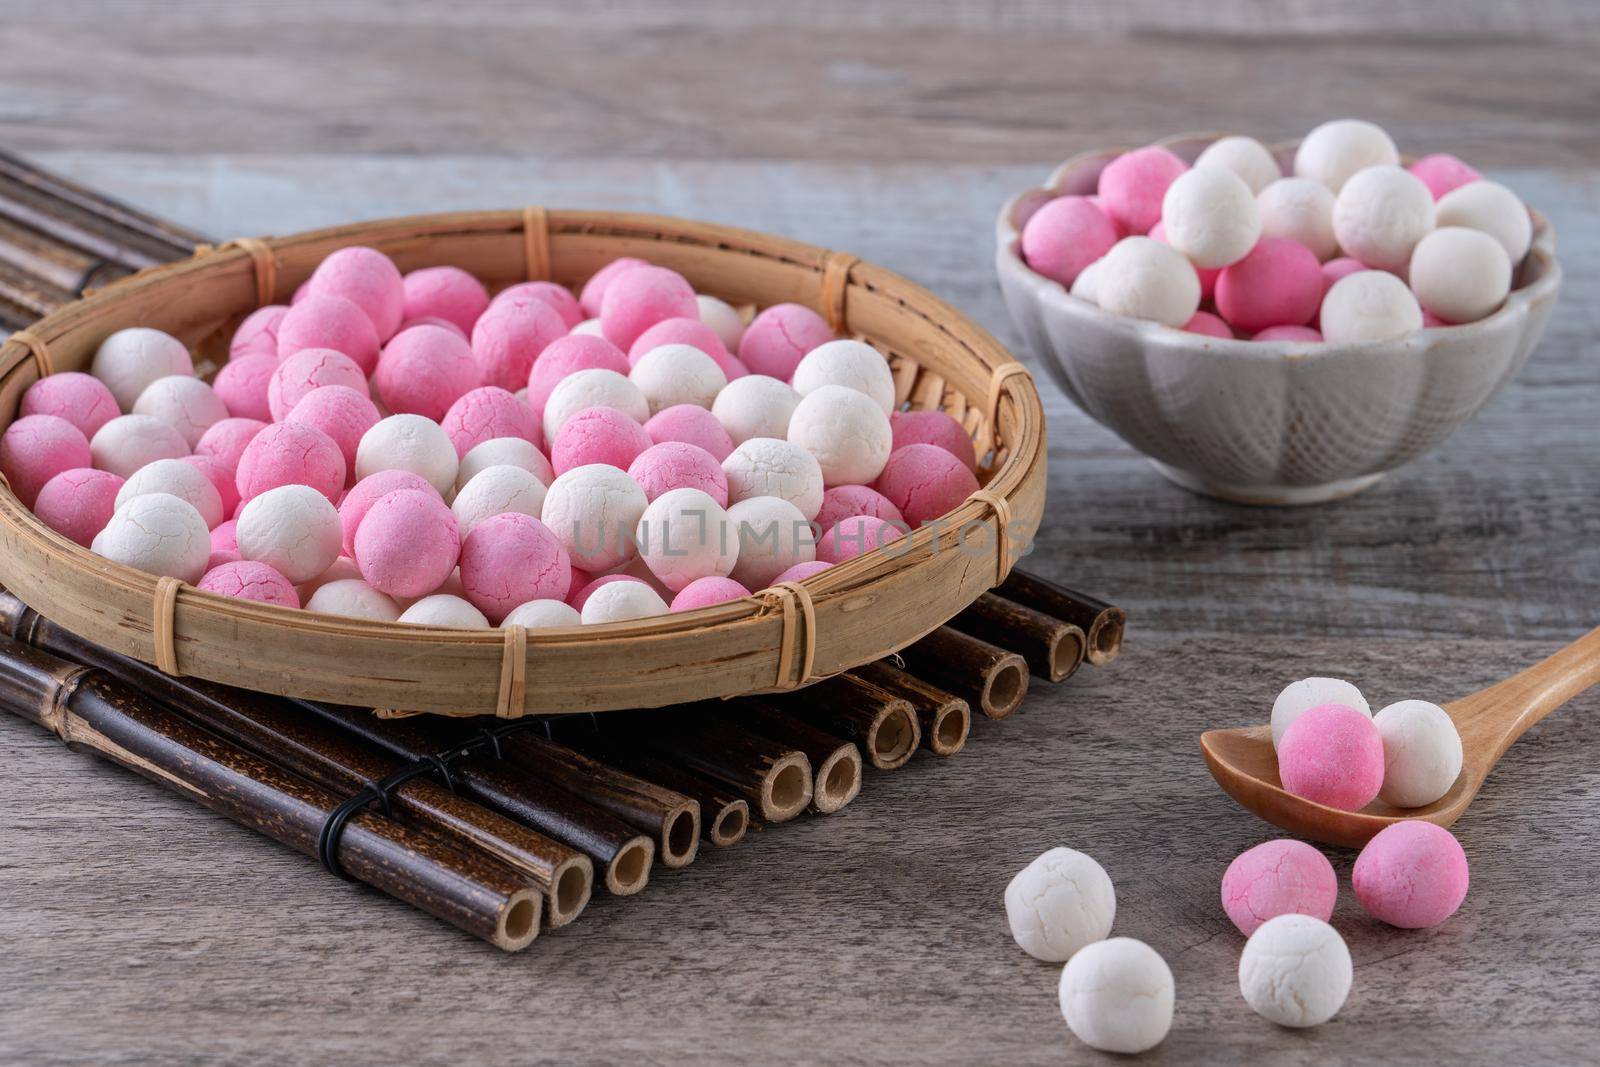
140, 929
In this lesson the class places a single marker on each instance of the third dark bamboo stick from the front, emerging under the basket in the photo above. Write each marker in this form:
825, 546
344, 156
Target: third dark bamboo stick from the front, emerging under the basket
622, 855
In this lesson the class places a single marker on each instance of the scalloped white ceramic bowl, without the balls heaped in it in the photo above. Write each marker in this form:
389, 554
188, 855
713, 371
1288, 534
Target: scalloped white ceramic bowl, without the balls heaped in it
1266, 423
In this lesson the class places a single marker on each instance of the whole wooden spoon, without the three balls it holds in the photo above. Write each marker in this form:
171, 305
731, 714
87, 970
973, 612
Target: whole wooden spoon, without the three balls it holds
1247, 767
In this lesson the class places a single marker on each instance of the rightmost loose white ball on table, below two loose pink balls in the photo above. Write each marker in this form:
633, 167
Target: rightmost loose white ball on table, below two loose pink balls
1295, 972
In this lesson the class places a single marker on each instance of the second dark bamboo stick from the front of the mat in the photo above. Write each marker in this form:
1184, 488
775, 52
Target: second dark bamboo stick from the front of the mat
303, 746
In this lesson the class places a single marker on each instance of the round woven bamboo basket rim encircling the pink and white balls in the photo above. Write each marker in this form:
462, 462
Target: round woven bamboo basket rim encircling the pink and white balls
849, 615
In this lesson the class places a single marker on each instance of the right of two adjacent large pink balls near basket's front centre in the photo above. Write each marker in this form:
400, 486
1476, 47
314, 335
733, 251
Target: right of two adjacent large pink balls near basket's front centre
510, 561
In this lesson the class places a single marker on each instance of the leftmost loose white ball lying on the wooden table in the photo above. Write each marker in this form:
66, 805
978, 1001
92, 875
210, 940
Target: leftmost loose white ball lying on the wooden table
1058, 905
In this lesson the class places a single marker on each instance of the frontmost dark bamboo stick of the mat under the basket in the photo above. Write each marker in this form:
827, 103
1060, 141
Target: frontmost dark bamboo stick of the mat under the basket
94, 713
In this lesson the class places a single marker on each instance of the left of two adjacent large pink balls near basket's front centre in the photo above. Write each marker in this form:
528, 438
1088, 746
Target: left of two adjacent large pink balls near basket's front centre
407, 545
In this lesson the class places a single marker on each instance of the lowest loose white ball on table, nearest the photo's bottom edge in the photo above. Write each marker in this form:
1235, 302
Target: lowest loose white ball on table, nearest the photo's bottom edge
1118, 996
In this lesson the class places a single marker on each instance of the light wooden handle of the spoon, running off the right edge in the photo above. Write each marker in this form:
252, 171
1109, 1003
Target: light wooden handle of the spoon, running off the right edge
1492, 719
